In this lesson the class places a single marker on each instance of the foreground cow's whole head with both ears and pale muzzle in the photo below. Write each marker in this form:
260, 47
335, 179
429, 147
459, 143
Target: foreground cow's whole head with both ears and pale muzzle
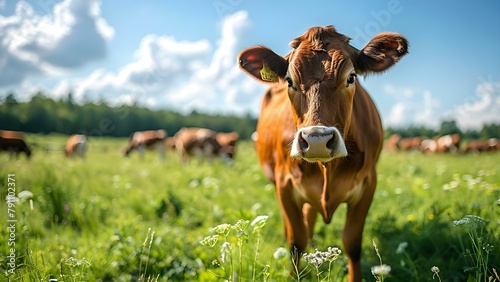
320, 73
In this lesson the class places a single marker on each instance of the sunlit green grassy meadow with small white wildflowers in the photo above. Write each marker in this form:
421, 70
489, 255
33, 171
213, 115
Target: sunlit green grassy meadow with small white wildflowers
107, 218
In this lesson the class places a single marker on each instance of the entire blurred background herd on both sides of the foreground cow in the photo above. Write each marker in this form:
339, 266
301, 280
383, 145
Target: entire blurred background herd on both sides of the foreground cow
207, 144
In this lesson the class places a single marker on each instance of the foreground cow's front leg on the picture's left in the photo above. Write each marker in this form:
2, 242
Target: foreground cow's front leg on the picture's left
295, 228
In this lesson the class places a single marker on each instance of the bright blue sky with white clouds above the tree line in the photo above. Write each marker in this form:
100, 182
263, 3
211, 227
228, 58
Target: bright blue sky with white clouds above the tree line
181, 55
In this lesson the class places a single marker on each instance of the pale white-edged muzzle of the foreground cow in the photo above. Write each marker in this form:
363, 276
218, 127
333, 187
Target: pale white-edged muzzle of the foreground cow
318, 144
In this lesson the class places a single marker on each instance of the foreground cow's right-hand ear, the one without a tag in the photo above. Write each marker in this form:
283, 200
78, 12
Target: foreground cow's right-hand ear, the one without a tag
382, 52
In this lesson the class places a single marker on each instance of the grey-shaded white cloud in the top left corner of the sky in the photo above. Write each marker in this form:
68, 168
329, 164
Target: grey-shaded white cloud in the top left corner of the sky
33, 43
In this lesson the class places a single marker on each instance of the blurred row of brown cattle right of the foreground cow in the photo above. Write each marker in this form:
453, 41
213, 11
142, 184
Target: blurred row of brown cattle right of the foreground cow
440, 144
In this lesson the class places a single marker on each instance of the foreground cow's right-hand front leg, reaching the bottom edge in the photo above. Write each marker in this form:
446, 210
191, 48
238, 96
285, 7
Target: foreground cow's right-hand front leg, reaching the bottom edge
353, 230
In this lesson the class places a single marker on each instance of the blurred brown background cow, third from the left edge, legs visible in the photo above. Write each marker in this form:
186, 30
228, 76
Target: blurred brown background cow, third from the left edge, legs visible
150, 139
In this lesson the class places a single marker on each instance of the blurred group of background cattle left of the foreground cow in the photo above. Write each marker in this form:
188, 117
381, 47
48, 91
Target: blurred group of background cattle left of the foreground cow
187, 142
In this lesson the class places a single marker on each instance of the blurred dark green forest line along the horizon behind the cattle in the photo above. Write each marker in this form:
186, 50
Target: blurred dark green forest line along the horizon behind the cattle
44, 115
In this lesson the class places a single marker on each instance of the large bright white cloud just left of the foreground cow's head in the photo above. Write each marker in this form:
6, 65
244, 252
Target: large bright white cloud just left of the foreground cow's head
180, 75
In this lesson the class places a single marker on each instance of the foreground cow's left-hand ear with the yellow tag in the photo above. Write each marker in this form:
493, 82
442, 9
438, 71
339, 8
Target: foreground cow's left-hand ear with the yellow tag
263, 64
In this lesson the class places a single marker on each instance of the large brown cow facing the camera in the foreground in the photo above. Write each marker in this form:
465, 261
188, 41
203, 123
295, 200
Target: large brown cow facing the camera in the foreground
319, 132
